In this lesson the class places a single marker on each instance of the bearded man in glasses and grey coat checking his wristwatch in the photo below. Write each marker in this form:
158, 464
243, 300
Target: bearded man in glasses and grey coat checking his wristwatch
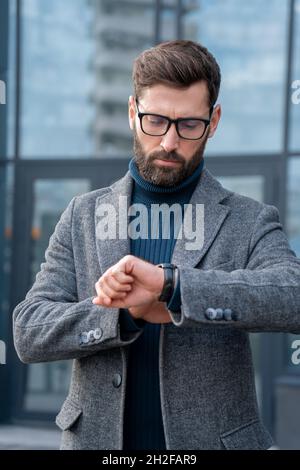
158, 325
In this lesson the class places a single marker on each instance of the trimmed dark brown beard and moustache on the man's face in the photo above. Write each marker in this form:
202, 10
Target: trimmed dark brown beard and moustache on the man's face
167, 176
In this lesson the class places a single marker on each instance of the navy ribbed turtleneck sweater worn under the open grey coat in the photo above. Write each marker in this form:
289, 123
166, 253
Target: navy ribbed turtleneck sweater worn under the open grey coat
143, 425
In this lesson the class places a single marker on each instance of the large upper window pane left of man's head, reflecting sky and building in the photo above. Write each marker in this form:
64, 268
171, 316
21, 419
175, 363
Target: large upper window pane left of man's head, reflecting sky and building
77, 61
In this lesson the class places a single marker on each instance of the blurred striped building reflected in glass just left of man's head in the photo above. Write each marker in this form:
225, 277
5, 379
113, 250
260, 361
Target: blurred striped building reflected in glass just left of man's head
122, 31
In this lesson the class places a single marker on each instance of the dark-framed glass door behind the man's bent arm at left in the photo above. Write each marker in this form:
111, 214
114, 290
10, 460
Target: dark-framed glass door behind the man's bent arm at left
43, 192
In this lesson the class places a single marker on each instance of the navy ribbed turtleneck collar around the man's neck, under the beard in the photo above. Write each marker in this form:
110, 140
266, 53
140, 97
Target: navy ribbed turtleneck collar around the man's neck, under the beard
151, 190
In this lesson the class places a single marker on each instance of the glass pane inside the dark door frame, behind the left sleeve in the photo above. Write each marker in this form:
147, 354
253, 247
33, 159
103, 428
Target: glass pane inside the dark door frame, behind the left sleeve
47, 384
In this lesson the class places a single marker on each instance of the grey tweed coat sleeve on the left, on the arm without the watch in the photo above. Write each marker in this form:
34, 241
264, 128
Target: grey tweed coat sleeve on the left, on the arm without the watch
51, 324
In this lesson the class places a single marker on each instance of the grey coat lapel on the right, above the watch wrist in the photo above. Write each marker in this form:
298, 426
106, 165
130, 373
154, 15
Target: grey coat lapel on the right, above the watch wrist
210, 193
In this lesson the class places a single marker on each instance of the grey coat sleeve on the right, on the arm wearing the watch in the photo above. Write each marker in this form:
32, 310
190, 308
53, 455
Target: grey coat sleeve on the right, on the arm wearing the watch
265, 296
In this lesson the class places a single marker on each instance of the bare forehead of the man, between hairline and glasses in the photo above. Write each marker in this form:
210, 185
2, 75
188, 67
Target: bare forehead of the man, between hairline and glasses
176, 102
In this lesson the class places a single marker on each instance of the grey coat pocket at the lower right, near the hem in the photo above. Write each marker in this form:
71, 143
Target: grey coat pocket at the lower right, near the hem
251, 436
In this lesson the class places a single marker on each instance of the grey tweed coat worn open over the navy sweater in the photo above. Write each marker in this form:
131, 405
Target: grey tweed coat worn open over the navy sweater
206, 374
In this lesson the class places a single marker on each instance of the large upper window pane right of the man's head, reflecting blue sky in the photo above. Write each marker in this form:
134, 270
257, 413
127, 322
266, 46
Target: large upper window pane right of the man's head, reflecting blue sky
250, 46
